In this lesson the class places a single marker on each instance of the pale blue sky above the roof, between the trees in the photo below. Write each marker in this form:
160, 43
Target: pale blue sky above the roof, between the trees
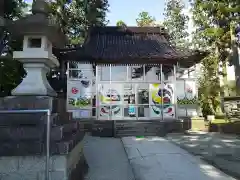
128, 10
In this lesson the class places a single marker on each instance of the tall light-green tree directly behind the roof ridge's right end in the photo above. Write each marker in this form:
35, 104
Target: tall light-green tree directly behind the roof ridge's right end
176, 22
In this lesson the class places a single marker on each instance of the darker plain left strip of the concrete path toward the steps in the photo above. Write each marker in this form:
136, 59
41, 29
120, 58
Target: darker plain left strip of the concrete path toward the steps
107, 159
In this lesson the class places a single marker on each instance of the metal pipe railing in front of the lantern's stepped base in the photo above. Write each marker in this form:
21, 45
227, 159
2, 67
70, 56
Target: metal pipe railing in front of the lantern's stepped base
48, 112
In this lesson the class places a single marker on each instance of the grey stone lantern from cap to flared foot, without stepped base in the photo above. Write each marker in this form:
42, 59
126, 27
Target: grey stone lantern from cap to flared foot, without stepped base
39, 33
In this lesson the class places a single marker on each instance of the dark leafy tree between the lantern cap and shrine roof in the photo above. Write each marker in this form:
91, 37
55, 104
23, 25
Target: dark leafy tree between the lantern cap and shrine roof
76, 17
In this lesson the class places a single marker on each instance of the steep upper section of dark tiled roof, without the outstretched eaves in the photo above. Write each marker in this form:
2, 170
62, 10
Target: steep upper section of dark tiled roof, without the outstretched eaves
128, 45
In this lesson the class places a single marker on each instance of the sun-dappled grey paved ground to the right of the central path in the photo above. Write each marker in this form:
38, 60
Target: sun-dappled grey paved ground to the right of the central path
219, 149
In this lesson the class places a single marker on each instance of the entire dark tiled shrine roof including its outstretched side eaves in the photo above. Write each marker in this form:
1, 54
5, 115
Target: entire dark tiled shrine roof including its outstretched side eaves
131, 45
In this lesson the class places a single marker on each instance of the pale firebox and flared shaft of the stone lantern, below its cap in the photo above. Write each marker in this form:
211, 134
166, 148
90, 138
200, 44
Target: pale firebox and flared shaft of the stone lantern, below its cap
37, 63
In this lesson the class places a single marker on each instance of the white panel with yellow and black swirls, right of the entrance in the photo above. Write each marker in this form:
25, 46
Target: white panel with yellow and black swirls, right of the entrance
161, 100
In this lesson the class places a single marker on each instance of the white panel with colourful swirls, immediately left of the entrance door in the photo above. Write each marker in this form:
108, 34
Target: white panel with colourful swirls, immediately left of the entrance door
111, 98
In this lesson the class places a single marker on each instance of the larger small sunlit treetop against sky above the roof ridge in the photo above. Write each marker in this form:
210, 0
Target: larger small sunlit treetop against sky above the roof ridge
144, 19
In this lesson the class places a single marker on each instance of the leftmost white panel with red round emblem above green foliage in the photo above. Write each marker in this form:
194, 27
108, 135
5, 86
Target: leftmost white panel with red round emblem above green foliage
79, 94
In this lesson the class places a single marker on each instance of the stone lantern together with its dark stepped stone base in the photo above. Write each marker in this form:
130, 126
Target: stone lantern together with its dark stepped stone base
33, 115
